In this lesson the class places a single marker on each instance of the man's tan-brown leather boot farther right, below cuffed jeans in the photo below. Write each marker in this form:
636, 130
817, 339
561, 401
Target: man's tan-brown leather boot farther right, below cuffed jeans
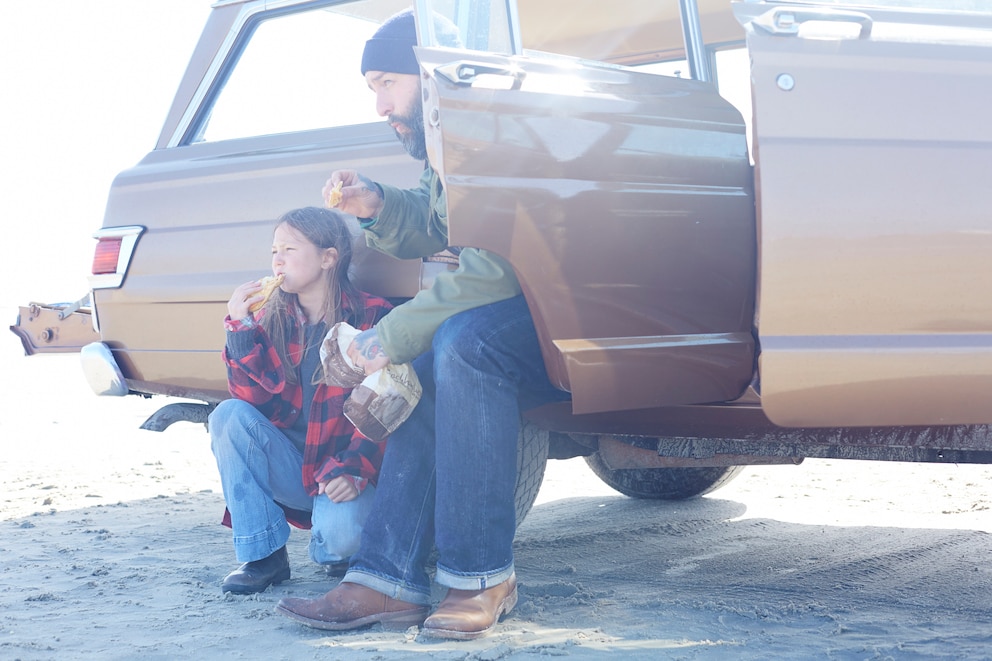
468, 614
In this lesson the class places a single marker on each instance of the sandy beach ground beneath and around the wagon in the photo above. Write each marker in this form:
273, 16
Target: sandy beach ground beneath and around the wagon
112, 549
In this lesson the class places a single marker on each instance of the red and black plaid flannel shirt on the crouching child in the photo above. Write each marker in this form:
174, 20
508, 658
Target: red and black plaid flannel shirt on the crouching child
333, 446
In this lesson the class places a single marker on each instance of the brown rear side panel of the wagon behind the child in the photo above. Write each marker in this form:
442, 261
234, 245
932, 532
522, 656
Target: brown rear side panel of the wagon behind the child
204, 203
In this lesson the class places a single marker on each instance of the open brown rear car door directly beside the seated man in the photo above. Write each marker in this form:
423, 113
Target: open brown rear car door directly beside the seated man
622, 199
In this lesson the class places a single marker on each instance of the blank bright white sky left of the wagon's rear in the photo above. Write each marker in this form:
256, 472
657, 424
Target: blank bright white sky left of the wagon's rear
85, 90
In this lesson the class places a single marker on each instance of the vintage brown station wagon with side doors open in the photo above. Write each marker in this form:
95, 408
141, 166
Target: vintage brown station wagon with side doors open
749, 232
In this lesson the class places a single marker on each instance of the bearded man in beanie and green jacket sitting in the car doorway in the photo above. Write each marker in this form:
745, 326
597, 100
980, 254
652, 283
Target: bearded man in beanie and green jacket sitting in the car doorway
448, 475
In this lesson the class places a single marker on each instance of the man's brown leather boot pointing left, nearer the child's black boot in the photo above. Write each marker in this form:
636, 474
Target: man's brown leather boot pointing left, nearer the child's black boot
352, 606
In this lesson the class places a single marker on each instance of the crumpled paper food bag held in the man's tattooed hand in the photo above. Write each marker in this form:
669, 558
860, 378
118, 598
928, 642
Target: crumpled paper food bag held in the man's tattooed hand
379, 402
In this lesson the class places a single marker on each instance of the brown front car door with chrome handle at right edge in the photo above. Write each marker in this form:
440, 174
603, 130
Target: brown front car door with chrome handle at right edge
873, 149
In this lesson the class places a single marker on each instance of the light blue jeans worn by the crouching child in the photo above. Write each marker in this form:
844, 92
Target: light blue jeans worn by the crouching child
259, 468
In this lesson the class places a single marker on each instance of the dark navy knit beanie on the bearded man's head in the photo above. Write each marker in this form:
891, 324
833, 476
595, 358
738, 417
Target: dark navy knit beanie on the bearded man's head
391, 47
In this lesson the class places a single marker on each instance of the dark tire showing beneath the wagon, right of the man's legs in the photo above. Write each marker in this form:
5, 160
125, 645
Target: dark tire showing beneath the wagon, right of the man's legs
663, 483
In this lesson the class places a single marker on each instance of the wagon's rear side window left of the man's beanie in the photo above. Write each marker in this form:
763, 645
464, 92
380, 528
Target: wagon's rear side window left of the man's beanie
295, 72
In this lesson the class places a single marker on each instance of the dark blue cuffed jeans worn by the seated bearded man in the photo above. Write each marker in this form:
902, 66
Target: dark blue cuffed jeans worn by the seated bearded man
449, 471
